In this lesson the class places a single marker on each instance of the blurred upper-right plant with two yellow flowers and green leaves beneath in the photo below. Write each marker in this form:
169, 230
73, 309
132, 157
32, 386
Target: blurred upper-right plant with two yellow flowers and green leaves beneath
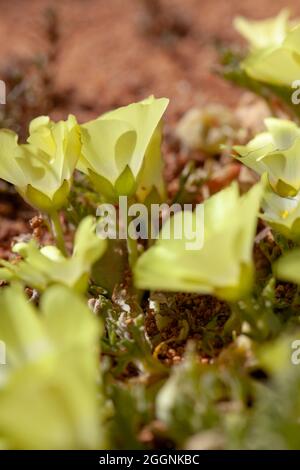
269, 66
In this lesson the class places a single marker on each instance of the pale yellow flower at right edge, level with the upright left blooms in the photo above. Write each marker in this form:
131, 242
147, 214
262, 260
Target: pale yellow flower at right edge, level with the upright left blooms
277, 153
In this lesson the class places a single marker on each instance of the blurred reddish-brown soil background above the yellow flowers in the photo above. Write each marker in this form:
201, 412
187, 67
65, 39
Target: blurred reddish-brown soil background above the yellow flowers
86, 56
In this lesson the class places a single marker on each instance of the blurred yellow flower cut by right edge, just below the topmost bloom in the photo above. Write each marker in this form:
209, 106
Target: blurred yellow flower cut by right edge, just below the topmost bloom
277, 64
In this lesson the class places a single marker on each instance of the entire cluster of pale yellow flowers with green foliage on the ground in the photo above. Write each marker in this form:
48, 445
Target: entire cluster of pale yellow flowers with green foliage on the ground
91, 325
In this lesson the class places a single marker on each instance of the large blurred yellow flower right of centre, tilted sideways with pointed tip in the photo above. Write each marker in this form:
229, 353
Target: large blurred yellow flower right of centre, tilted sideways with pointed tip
223, 266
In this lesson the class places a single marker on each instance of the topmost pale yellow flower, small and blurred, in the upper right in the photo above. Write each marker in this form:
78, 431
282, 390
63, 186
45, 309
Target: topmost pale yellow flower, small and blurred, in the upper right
264, 33
